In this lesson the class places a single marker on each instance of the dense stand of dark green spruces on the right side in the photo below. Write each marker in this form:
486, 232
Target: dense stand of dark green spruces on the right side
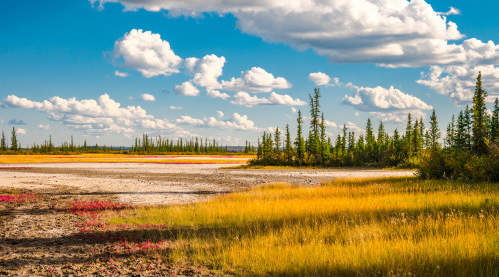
472, 138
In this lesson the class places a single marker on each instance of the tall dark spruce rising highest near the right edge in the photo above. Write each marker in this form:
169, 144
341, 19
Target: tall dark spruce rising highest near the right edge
479, 118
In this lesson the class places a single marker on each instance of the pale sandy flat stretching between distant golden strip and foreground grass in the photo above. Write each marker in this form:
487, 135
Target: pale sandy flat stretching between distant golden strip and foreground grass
147, 184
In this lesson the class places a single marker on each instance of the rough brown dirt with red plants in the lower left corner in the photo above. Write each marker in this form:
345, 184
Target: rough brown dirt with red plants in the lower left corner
43, 237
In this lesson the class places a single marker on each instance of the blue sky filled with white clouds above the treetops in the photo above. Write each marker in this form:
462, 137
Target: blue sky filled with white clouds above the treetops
108, 71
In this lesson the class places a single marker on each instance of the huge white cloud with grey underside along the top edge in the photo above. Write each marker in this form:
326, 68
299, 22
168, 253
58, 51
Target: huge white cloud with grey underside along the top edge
388, 32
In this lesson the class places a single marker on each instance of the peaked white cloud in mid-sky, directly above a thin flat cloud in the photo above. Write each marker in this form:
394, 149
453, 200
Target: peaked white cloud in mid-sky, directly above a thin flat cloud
256, 80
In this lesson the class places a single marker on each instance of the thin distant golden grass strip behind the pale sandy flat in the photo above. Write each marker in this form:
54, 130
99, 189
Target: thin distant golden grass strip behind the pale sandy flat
121, 158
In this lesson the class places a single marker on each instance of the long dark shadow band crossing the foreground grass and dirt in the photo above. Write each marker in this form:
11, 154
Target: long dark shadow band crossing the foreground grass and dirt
248, 229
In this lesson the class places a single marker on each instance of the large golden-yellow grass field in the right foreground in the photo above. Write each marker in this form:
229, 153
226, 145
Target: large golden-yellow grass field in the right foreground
391, 226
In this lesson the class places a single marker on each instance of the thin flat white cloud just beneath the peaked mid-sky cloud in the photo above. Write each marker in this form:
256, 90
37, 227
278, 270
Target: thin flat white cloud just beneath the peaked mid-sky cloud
245, 99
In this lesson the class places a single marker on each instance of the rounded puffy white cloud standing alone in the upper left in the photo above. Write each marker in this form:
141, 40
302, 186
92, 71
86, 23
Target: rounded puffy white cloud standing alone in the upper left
147, 53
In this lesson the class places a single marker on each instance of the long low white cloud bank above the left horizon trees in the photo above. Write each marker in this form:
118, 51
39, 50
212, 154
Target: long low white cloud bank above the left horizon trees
103, 115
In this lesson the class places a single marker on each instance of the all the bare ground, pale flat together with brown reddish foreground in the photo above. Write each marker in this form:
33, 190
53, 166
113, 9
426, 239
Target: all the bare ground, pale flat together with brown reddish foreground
42, 237
